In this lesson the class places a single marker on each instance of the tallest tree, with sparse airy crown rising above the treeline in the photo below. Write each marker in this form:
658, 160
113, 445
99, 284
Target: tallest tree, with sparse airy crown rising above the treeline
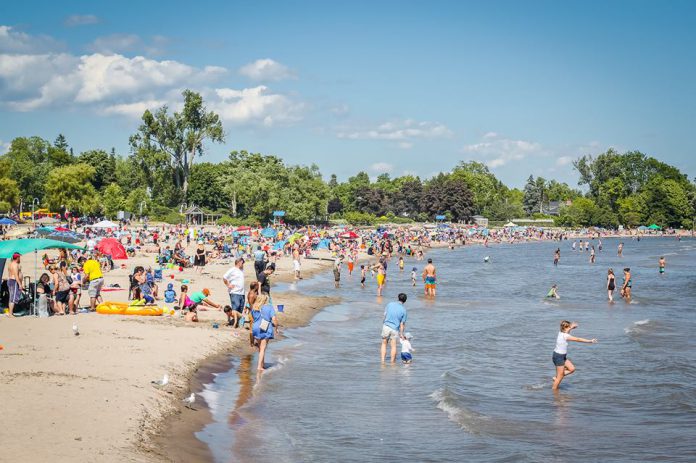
179, 136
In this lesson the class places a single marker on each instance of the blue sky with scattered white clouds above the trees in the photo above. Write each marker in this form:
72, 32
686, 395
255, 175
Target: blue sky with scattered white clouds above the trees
398, 87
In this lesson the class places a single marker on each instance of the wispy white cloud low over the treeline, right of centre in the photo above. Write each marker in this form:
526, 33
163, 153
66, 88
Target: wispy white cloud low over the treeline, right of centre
497, 151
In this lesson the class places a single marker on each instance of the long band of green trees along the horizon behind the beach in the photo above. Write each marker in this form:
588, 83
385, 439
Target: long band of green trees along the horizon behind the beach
163, 171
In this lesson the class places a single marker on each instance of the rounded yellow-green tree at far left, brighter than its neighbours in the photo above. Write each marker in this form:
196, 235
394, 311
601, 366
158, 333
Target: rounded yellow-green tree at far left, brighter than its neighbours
70, 187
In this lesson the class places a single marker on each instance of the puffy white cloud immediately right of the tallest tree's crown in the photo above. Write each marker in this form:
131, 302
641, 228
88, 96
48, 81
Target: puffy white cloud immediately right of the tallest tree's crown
256, 105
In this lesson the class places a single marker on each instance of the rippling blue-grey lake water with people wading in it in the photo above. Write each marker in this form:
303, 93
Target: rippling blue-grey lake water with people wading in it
479, 388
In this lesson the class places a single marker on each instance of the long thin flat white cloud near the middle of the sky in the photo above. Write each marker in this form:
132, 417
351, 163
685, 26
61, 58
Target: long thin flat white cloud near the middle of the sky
399, 131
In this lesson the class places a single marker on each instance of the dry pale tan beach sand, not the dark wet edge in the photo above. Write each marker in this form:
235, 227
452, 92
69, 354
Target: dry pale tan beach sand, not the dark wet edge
68, 398
